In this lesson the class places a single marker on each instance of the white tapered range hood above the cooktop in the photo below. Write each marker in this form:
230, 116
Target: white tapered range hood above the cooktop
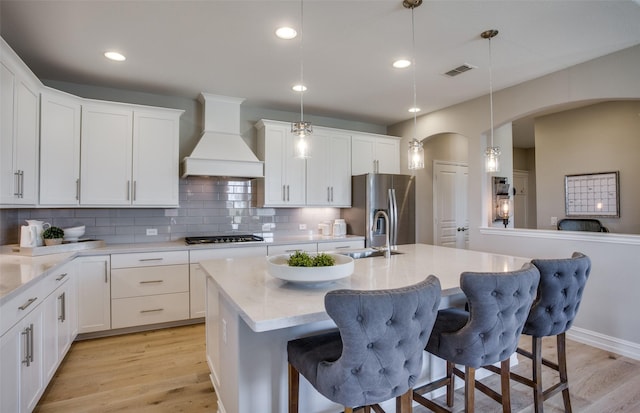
221, 150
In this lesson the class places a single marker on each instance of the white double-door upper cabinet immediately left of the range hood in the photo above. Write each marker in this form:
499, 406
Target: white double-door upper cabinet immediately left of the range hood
129, 155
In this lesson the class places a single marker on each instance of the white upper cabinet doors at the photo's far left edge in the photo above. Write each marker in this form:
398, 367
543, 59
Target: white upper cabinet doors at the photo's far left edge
19, 129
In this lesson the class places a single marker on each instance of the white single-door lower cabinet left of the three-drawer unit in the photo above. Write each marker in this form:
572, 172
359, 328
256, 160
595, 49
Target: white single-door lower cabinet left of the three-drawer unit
94, 293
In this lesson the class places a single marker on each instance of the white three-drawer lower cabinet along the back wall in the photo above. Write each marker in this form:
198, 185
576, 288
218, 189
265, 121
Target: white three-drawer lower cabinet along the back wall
149, 288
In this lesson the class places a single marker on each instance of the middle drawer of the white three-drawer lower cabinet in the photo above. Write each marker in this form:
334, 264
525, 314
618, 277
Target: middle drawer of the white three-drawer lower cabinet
135, 282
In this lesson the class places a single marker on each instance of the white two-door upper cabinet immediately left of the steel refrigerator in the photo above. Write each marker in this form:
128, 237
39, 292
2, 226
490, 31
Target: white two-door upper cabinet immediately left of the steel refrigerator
329, 169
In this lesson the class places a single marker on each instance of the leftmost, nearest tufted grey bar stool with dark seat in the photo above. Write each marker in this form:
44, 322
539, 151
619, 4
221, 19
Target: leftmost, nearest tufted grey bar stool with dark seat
376, 354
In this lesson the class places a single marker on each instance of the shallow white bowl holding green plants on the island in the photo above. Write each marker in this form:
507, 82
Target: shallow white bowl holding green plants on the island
279, 268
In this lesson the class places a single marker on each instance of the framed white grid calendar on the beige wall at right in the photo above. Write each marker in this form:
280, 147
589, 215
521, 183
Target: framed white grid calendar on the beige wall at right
592, 195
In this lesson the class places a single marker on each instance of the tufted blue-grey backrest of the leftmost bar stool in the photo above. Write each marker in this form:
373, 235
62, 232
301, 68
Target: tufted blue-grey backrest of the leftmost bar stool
383, 333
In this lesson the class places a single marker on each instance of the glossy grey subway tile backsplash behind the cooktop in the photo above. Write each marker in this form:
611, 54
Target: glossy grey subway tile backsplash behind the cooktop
207, 206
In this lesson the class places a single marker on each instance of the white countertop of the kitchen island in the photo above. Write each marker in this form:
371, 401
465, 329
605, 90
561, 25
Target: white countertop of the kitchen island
266, 303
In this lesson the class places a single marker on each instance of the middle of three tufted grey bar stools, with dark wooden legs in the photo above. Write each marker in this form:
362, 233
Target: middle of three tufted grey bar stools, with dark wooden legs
488, 333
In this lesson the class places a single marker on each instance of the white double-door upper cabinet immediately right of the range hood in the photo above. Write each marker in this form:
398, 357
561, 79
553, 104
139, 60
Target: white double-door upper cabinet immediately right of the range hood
284, 173
